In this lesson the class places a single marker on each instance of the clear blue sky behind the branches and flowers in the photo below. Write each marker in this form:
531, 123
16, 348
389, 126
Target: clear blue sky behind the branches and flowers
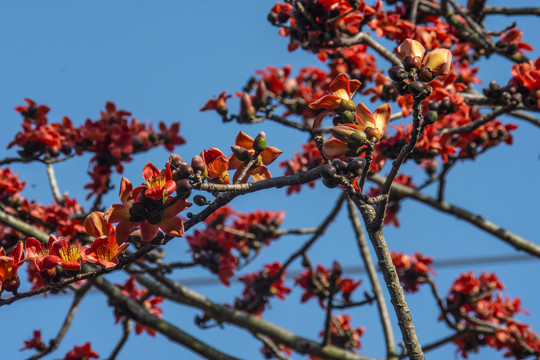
162, 60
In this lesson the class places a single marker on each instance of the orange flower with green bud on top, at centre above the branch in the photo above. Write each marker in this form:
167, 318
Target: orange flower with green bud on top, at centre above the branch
259, 171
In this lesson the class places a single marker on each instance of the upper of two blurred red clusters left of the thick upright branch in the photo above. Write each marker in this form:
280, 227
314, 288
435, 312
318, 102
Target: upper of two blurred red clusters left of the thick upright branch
323, 282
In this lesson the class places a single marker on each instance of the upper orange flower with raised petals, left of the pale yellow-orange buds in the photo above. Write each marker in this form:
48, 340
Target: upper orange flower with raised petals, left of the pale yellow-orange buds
341, 92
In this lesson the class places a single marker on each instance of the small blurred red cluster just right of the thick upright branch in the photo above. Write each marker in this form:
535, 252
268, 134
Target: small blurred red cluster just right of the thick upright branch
412, 270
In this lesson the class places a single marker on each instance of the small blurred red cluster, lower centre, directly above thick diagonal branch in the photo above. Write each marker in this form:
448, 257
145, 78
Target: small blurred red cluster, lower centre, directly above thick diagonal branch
260, 287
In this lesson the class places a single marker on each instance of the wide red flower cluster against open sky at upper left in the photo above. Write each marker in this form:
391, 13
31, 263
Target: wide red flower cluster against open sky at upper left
112, 139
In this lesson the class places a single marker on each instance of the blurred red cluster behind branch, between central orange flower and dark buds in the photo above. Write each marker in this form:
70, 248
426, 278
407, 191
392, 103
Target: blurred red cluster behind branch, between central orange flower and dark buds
308, 159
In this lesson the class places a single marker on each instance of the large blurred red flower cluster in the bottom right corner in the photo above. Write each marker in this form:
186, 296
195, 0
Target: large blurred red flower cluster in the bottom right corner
473, 303
